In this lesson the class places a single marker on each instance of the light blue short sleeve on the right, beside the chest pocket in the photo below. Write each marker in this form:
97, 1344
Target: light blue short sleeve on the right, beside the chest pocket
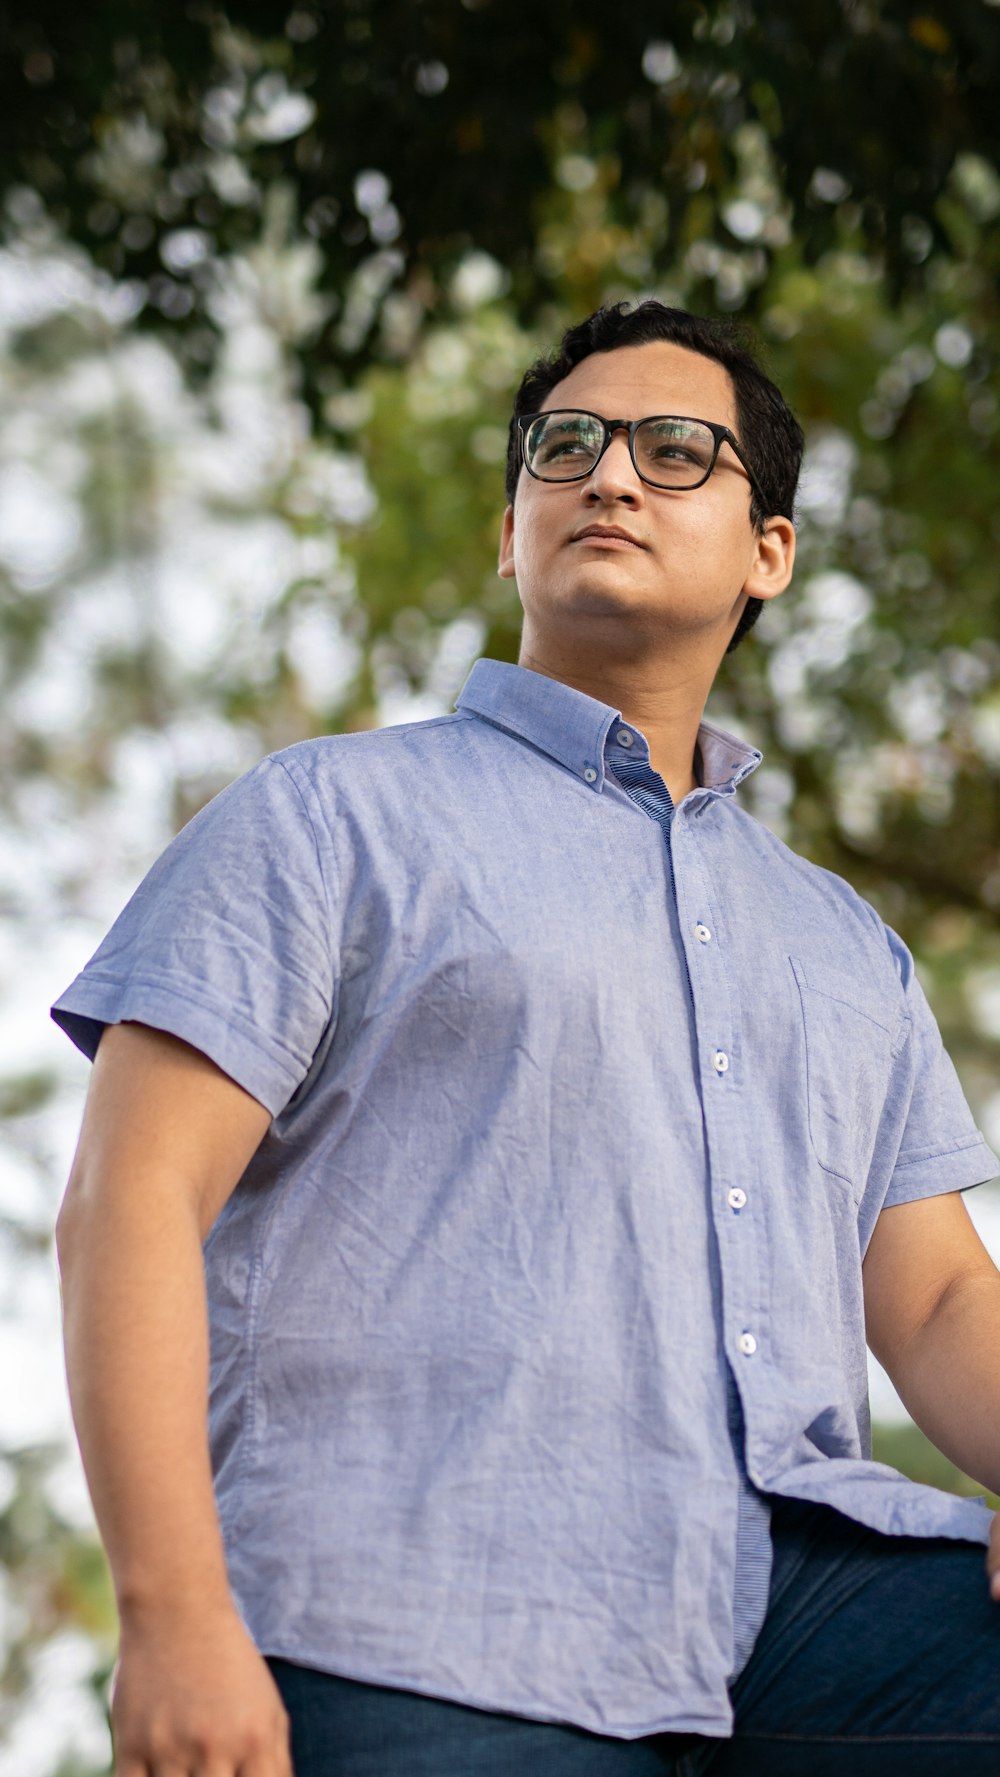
942, 1149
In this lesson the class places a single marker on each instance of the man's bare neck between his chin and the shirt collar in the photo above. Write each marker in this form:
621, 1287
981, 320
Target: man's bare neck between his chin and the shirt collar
663, 697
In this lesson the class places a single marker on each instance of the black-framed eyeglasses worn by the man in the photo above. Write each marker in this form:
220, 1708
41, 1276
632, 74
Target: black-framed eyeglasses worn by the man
667, 450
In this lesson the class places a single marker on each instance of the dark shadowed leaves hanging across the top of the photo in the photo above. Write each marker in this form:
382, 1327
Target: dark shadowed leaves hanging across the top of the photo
154, 136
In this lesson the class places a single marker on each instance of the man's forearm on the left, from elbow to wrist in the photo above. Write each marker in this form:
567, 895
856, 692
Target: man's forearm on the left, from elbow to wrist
138, 1367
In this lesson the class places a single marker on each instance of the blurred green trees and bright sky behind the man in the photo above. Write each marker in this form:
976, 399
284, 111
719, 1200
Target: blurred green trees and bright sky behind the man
269, 276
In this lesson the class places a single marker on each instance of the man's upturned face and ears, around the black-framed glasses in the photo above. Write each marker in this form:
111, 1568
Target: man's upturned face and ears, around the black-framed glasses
612, 552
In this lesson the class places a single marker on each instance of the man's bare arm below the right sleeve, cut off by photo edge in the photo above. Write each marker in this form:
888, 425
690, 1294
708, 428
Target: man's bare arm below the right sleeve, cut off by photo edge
933, 1321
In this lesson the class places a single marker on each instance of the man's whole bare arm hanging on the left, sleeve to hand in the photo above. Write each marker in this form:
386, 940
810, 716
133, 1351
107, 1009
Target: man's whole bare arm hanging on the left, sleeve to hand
166, 1138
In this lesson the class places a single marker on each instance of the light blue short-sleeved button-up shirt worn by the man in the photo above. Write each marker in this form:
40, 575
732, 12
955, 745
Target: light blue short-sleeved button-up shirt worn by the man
567, 1126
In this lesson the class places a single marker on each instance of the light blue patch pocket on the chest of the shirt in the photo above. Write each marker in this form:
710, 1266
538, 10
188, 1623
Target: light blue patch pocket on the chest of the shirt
853, 1037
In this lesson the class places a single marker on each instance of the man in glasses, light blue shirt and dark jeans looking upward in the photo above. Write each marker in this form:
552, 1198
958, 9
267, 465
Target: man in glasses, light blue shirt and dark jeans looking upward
537, 1110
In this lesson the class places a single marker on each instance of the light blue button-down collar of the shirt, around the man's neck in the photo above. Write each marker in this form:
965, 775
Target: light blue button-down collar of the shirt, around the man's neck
573, 728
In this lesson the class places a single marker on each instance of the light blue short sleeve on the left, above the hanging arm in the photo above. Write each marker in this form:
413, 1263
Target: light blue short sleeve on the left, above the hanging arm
226, 944
